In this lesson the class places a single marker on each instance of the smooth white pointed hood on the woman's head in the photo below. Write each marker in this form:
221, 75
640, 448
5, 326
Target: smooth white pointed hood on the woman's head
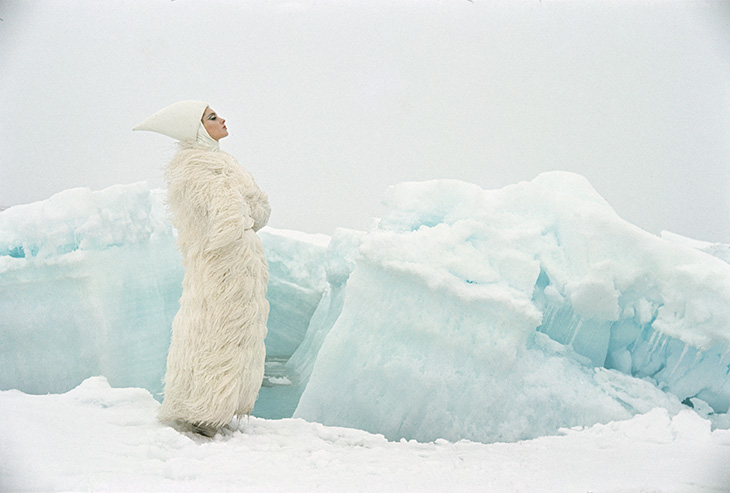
181, 121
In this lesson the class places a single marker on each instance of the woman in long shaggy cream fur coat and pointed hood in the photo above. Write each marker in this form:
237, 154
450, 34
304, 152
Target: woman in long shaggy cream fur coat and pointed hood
215, 365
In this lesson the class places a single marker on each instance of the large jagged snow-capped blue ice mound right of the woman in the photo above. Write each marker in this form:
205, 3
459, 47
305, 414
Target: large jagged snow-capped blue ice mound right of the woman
503, 315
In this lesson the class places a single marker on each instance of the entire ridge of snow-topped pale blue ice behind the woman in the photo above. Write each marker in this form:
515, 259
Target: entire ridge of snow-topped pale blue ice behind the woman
464, 313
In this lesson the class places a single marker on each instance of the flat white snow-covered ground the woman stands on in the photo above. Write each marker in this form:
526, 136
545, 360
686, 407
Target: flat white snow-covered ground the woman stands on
96, 438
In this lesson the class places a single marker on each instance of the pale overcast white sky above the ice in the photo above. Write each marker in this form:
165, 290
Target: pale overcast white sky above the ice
330, 102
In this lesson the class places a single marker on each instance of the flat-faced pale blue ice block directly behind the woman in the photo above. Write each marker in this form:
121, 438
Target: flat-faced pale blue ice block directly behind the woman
90, 282
